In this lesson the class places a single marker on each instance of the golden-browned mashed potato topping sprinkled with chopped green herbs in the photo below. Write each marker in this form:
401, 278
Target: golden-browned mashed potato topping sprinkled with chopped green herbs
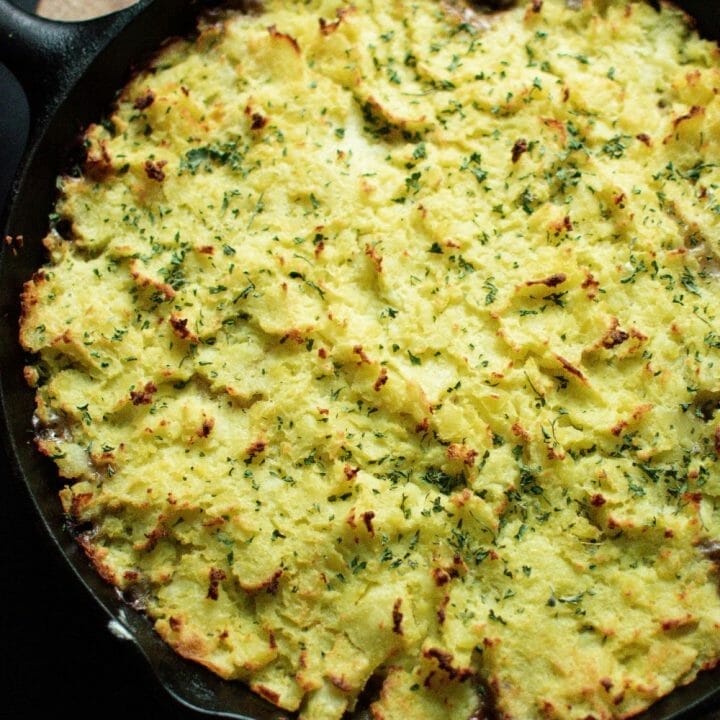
381, 340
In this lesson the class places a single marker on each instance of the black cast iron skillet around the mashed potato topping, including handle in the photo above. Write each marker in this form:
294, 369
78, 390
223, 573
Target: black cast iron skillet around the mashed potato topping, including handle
70, 73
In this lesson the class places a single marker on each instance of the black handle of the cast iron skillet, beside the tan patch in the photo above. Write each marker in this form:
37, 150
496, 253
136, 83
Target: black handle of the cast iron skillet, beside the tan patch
48, 57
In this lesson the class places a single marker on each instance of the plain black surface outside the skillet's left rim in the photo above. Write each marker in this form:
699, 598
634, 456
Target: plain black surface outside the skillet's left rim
51, 626
